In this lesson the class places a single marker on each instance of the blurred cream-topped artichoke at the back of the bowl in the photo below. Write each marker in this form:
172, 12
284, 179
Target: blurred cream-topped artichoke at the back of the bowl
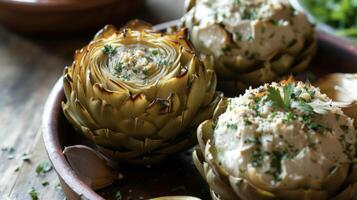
252, 41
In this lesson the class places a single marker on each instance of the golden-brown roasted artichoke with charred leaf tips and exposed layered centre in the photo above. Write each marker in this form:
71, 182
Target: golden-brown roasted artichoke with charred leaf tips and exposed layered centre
137, 94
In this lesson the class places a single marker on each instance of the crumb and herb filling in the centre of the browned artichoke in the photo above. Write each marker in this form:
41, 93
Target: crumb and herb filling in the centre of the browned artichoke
136, 63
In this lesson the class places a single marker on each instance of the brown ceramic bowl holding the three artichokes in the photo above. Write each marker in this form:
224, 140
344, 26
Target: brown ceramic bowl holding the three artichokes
177, 175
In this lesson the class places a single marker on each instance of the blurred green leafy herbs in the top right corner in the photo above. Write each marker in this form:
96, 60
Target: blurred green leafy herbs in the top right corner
339, 14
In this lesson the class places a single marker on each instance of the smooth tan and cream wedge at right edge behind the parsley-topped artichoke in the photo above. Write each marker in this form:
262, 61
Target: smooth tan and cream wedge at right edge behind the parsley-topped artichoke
342, 89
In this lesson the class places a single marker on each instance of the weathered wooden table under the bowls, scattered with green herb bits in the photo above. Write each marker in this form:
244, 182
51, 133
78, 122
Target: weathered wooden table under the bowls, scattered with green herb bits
29, 66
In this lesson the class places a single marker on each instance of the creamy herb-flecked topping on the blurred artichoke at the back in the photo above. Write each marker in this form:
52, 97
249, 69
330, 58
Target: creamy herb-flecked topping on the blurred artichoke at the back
259, 28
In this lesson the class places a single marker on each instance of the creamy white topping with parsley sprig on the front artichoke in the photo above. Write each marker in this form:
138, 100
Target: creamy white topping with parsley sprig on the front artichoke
284, 136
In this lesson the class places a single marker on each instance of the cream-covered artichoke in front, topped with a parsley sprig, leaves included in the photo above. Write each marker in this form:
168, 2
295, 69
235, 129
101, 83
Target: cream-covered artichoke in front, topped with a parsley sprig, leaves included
279, 141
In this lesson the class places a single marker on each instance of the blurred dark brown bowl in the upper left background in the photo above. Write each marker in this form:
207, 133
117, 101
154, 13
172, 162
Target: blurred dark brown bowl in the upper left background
38, 16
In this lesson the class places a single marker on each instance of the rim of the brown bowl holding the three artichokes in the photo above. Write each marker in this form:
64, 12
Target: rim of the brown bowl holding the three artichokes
53, 108
